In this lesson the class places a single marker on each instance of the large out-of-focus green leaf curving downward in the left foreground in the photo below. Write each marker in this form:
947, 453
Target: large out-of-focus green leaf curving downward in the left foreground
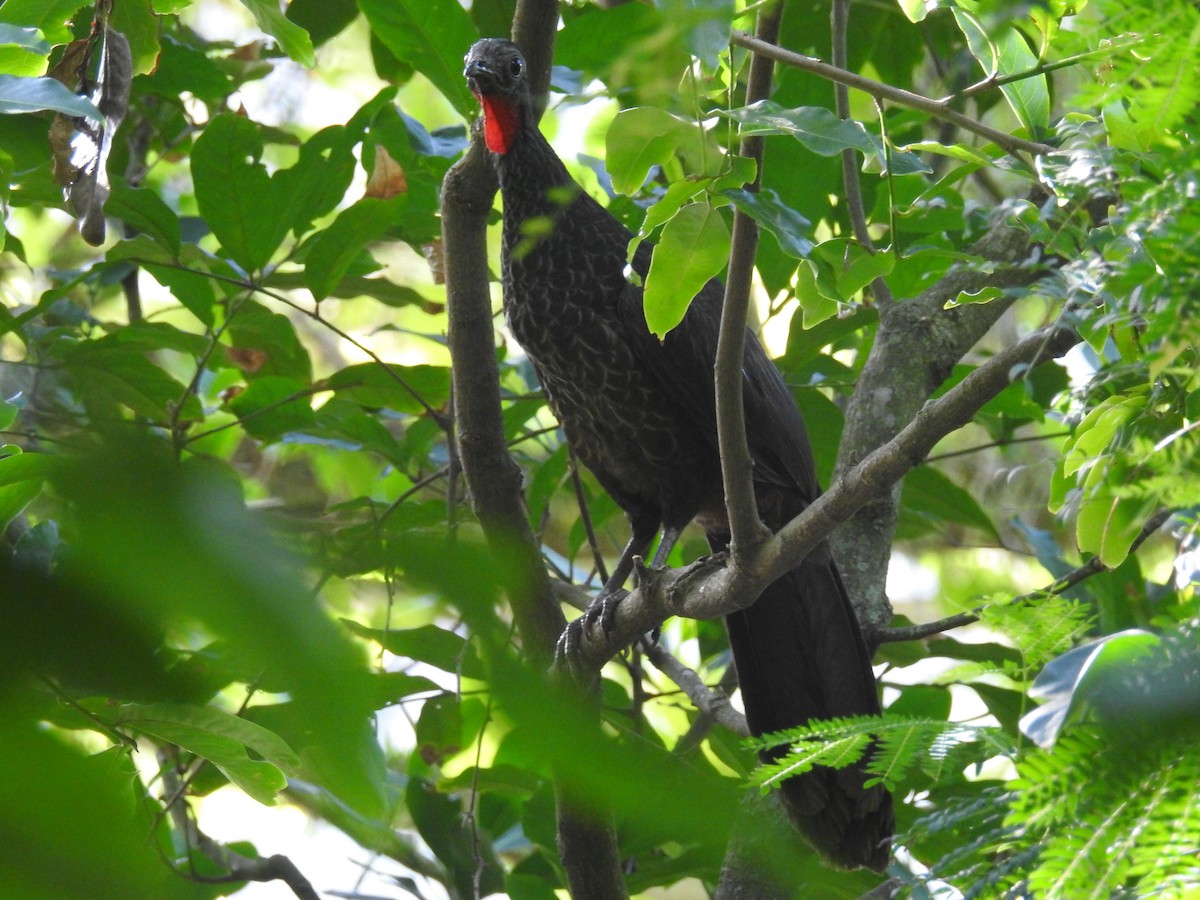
175, 547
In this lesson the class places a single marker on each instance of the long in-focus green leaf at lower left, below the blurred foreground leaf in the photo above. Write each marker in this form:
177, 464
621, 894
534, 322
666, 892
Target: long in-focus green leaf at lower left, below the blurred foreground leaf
220, 739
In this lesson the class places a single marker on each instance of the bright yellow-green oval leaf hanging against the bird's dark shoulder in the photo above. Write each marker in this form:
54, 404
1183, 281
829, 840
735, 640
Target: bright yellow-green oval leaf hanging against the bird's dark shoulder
694, 249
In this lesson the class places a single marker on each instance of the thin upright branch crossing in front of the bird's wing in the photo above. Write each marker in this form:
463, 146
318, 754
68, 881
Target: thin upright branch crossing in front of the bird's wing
737, 469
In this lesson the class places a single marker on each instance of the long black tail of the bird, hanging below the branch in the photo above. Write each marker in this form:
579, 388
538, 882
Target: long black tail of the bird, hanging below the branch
801, 656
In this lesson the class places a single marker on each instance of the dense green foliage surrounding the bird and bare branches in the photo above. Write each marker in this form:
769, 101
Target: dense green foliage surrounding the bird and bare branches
236, 536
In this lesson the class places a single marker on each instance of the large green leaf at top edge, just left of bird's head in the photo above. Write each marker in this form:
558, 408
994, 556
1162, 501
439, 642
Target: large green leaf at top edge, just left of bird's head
430, 35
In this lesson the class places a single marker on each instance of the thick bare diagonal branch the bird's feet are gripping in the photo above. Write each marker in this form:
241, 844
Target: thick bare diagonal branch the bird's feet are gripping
713, 587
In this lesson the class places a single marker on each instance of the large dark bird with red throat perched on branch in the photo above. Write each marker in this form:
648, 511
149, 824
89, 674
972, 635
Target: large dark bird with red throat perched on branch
641, 416
